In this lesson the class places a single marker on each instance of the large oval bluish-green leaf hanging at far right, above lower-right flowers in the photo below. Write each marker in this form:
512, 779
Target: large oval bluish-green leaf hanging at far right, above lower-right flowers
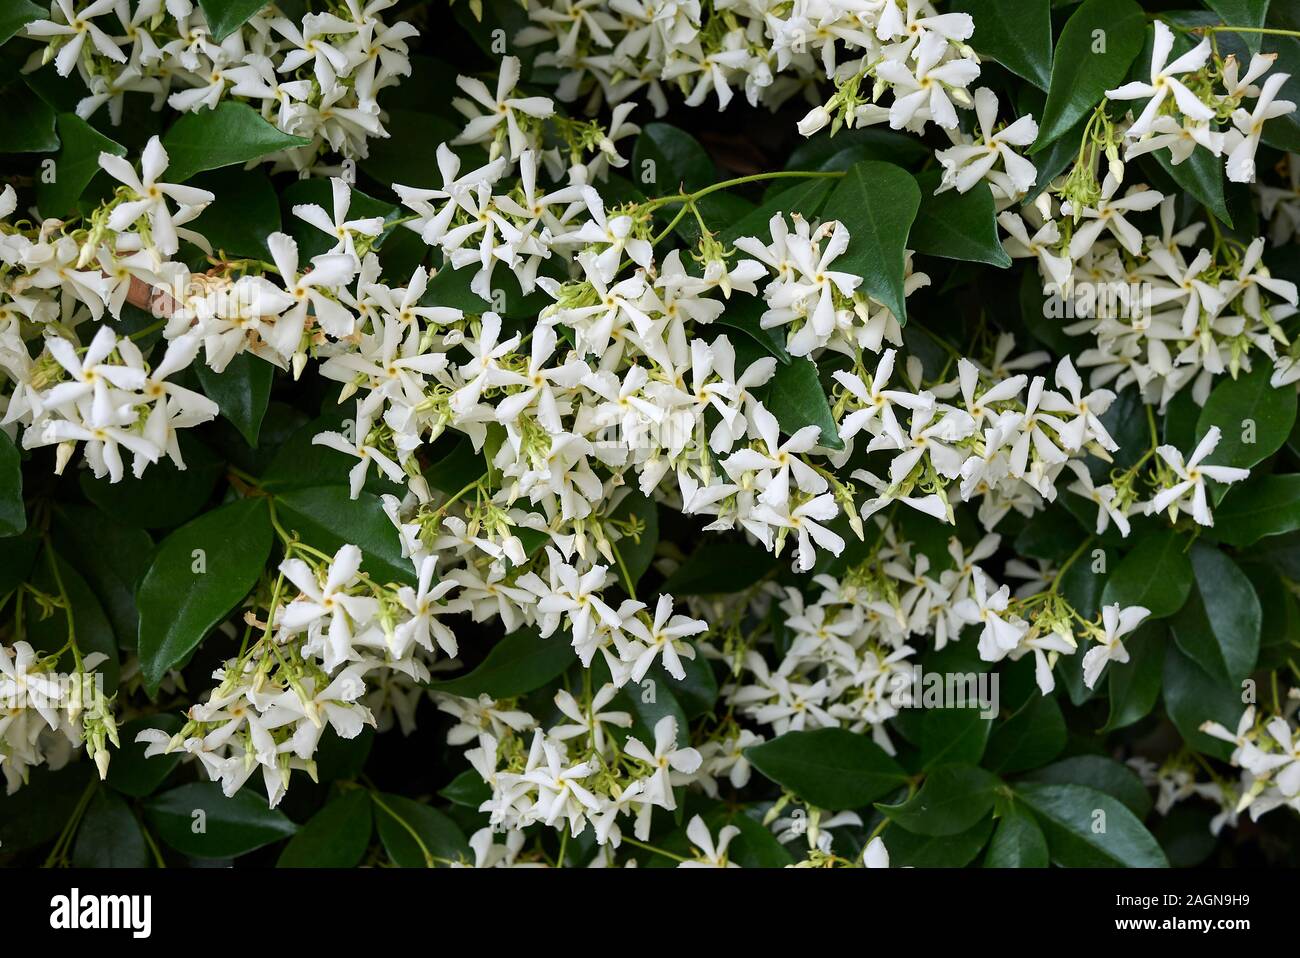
1220, 626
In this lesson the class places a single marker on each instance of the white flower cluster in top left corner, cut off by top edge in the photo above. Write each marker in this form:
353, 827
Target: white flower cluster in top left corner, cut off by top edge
318, 79
